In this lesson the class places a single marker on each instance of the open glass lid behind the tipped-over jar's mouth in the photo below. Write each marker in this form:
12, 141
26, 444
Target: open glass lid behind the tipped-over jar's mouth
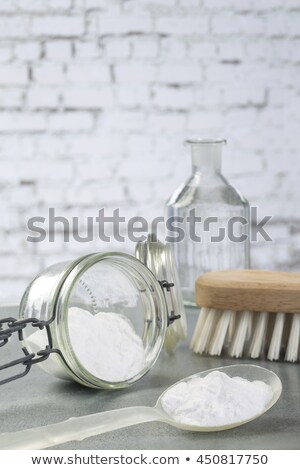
158, 257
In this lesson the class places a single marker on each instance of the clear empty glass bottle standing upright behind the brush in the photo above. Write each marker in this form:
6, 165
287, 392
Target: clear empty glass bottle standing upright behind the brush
220, 240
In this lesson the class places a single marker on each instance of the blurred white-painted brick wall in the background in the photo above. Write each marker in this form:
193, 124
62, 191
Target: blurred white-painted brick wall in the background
97, 96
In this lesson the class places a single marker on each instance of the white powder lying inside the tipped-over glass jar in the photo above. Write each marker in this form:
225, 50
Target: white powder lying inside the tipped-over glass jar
106, 344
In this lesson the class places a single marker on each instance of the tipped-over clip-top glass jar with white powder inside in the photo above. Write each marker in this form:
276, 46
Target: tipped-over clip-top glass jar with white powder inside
120, 292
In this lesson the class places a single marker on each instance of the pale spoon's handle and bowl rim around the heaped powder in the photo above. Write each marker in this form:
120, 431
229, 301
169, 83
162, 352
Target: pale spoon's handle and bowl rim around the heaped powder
79, 428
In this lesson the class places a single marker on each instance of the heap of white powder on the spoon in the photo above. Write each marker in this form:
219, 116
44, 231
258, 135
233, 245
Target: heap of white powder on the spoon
216, 400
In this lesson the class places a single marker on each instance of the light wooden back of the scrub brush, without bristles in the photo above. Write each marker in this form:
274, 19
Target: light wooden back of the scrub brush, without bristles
258, 291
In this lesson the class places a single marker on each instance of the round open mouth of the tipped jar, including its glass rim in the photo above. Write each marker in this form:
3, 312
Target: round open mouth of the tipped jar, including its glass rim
114, 320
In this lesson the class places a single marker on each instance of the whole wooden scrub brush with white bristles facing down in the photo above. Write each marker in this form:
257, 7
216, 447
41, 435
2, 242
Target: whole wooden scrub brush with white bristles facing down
248, 313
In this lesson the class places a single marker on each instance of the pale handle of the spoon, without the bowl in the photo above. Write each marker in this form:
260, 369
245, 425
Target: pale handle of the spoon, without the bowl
77, 428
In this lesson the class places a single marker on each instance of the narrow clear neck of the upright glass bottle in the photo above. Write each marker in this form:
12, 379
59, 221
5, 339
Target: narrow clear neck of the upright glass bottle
206, 156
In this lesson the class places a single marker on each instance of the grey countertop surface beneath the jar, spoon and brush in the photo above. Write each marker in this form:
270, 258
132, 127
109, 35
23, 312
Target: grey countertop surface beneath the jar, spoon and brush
40, 399
